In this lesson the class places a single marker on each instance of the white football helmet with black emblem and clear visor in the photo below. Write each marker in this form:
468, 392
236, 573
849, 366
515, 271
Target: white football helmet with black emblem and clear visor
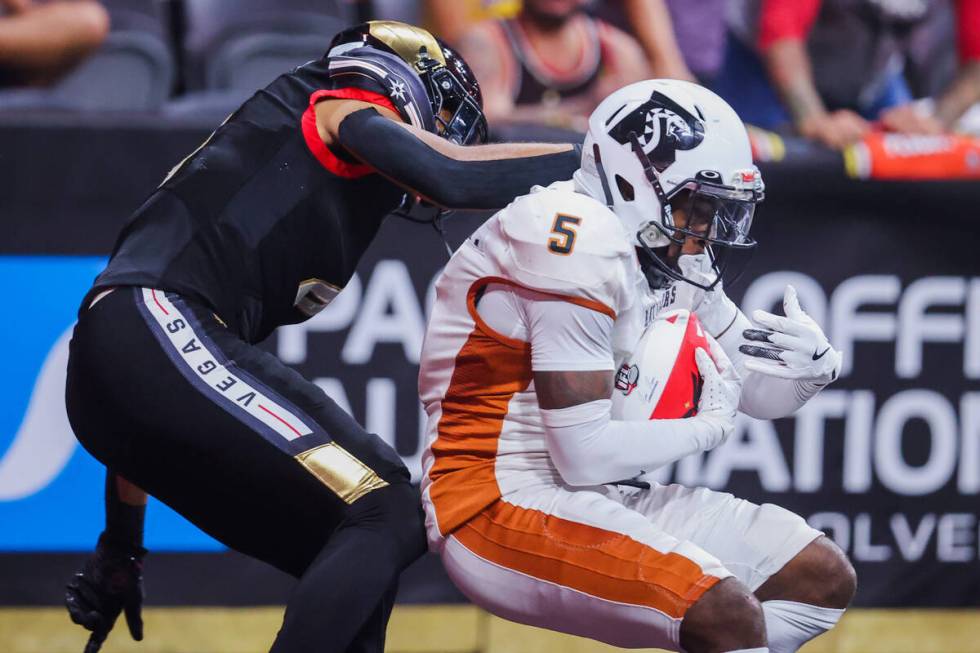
651, 140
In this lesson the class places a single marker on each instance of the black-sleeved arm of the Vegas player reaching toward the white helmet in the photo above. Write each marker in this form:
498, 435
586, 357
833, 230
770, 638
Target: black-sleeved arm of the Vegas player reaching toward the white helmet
448, 175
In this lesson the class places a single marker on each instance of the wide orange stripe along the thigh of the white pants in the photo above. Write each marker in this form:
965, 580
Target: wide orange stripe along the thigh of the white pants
601, 563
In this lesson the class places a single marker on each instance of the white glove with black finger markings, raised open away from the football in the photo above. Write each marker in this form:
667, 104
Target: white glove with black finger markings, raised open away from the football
800, 351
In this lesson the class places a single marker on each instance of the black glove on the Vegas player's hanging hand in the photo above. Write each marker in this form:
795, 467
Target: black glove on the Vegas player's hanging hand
110, 582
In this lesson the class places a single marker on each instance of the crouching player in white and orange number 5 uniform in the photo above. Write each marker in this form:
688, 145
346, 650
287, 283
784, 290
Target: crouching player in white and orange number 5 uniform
525, 465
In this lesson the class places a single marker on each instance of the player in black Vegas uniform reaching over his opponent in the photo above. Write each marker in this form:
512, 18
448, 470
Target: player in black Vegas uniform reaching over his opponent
262, 226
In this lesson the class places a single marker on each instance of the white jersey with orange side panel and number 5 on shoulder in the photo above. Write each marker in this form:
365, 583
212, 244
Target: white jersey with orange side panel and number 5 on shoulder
484, 435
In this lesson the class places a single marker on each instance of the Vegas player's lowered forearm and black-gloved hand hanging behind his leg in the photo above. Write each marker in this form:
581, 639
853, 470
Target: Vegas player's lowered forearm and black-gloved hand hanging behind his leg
111, 581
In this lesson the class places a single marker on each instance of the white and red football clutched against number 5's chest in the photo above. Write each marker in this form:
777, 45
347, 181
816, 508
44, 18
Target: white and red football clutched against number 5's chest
660, 380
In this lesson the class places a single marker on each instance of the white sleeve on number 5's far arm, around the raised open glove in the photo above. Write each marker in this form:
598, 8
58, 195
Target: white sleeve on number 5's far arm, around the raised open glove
763, 396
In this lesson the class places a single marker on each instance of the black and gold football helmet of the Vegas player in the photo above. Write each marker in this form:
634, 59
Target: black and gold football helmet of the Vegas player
452, 105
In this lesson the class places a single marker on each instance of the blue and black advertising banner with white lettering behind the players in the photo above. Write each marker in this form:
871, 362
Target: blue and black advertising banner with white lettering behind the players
886, 460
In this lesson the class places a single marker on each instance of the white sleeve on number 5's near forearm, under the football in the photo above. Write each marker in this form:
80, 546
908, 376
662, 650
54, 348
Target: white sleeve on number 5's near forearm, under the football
590, 448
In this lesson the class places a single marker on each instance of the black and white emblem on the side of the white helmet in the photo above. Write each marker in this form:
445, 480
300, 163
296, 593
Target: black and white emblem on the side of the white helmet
663, 127
